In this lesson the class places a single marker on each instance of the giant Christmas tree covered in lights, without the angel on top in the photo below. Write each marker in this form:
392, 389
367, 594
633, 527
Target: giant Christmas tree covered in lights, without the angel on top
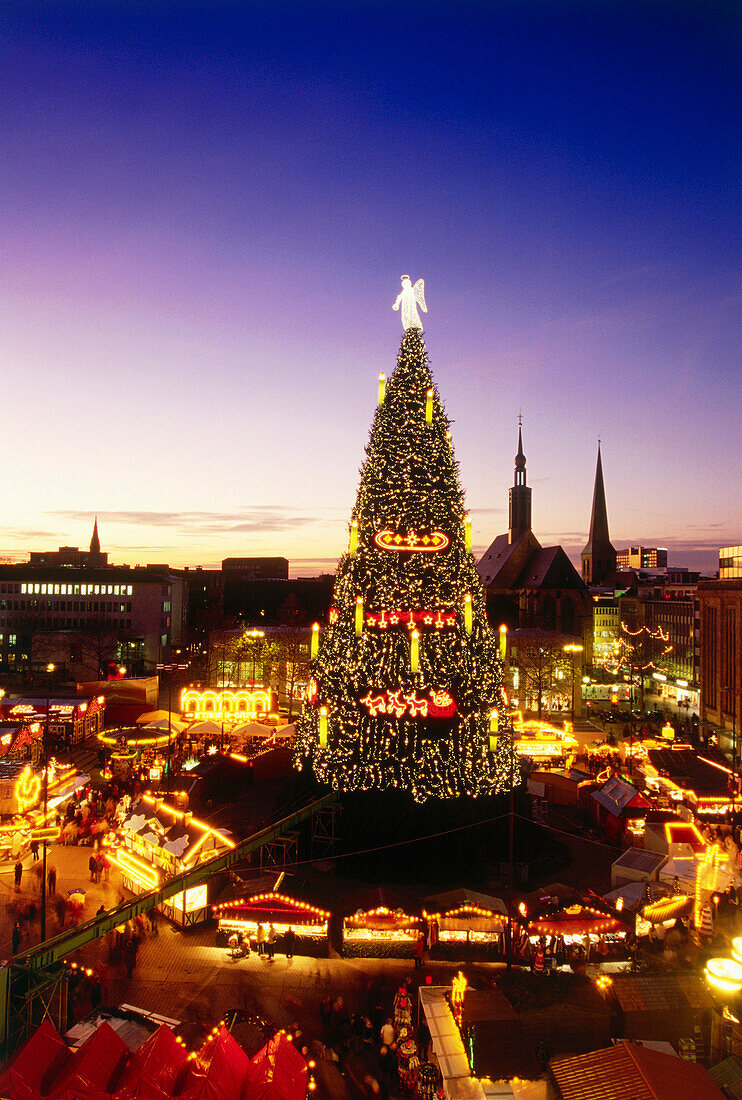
405, 688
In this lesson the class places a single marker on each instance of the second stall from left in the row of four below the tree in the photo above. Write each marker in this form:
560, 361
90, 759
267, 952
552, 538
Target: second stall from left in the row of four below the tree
381, 926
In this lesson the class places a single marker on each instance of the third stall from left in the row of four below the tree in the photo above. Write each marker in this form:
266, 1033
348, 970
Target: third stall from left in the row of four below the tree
463, 925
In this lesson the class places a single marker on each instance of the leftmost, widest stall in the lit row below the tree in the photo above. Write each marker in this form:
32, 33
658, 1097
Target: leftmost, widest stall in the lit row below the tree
308, 922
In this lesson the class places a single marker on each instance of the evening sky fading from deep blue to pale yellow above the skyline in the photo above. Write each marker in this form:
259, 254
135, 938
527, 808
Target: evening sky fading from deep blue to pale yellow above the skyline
206, 212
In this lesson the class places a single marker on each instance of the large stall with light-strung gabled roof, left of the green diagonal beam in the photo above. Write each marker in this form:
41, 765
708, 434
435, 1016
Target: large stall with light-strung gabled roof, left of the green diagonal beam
156, 843
